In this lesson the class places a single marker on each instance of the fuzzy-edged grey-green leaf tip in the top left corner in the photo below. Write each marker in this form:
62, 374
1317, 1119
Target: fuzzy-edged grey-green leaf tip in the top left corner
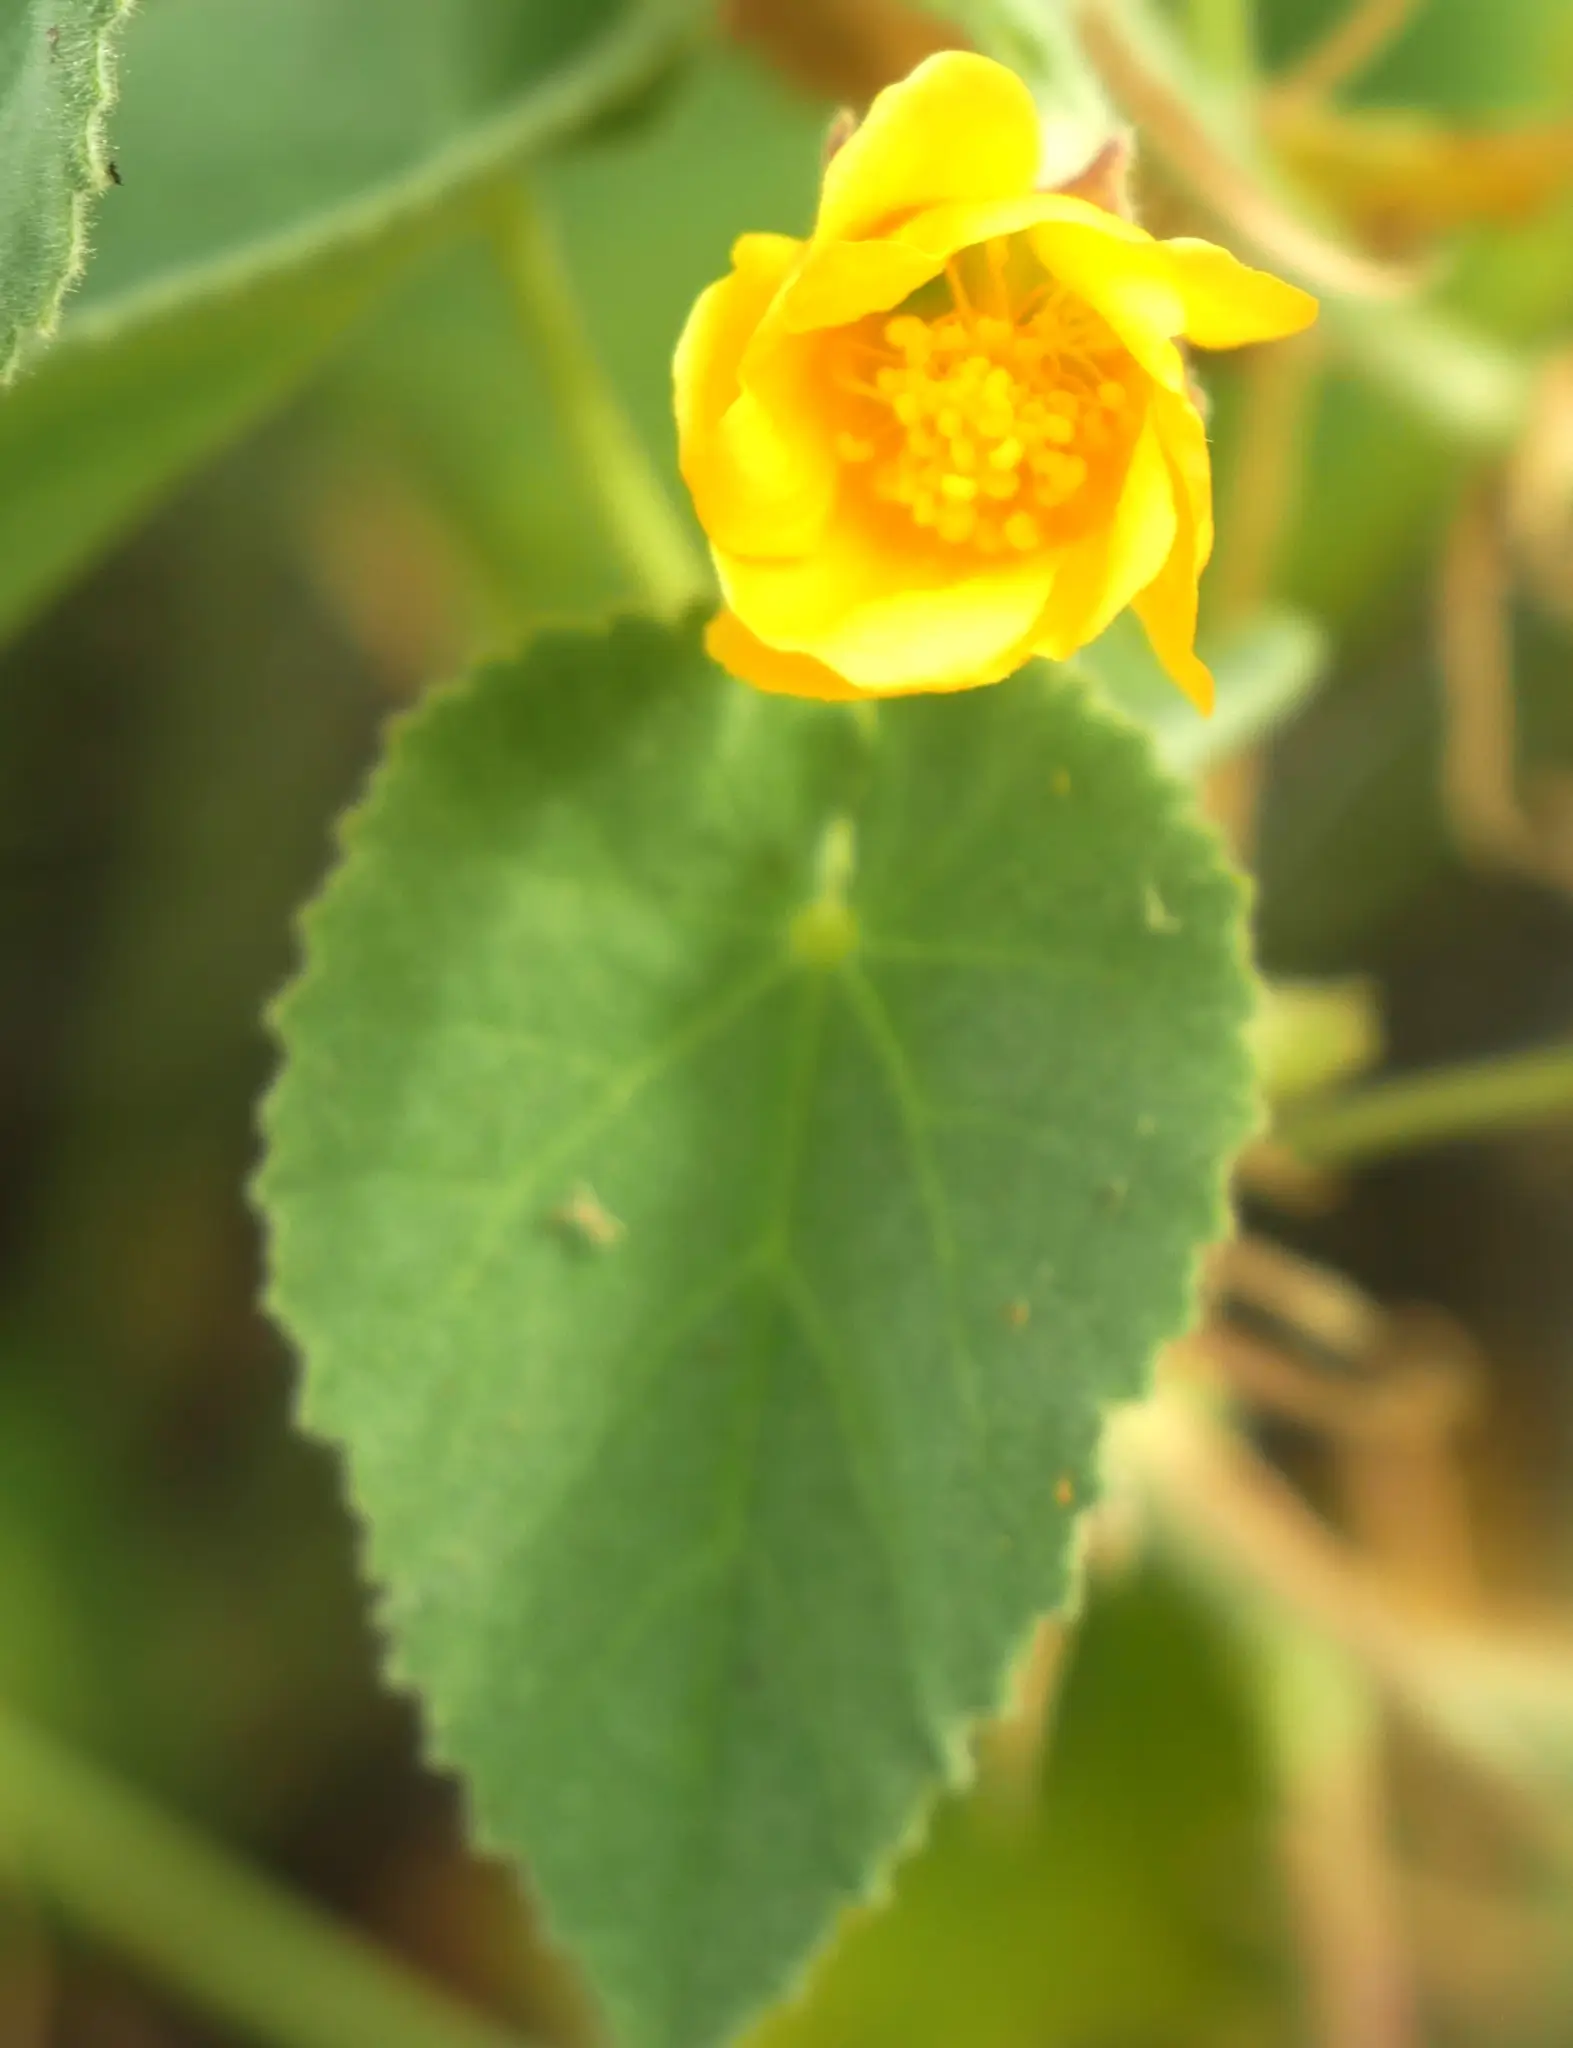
56, 89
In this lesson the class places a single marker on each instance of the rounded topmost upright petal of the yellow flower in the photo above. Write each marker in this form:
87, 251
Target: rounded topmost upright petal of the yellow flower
958, 128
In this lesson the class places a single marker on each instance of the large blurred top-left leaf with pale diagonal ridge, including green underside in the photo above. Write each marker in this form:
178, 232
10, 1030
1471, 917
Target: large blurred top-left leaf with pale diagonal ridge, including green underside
257, 222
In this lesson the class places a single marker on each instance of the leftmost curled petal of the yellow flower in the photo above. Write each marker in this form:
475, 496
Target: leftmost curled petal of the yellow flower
759, 462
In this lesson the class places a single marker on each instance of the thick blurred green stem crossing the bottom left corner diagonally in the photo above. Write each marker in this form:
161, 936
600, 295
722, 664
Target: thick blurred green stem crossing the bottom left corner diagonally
200, 1922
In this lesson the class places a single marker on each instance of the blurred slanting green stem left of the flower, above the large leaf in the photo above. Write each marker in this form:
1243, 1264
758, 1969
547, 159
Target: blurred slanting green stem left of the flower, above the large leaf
640, 517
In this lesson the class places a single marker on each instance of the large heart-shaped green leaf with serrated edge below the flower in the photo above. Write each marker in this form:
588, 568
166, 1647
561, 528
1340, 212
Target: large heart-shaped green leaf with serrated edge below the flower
730, 1154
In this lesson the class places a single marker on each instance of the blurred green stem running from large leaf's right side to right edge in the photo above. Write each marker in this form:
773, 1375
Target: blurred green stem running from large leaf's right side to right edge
1433, 1109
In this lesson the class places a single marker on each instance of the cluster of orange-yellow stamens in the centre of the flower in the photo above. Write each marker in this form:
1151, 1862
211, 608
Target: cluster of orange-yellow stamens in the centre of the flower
980, 427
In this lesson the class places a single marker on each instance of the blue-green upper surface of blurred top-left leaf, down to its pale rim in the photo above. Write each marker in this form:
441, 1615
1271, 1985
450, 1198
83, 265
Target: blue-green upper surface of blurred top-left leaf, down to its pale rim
284, 130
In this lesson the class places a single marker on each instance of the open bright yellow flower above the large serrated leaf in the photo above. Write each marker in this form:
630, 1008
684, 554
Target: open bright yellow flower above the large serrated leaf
953, 427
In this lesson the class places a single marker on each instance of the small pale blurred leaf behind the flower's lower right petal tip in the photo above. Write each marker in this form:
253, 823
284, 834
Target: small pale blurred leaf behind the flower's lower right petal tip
1263, 671
